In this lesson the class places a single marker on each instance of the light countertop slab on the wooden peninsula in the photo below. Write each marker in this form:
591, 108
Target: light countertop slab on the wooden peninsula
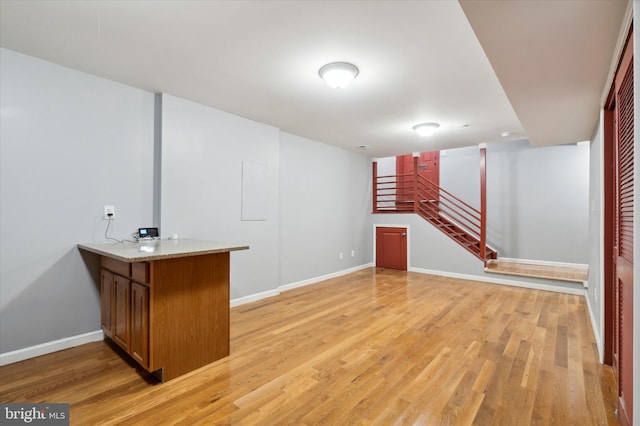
158, 249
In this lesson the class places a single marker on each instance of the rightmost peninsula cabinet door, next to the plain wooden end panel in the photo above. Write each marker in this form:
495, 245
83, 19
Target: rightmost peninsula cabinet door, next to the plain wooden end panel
139, 347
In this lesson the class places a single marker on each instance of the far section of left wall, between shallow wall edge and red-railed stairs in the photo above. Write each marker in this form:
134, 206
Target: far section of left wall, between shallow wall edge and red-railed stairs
325, 209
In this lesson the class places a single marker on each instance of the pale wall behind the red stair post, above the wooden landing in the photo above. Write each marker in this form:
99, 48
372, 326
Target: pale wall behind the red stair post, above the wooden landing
537, 198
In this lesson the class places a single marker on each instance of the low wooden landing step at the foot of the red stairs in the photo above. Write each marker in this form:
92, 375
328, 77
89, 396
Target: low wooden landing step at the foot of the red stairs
526, 269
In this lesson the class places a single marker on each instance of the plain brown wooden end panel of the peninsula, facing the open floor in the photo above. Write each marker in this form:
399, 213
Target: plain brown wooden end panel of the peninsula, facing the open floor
188, 313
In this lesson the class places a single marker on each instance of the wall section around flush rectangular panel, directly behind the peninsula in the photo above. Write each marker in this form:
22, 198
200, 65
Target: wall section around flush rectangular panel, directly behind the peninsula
203, 150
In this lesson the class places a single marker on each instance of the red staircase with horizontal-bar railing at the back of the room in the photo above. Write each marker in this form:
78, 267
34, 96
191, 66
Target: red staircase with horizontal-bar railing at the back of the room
413, 193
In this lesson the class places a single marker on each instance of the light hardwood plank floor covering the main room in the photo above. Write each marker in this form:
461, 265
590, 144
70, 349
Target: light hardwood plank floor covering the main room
376, 347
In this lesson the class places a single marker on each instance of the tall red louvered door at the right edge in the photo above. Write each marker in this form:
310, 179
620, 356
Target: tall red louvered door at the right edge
623, 236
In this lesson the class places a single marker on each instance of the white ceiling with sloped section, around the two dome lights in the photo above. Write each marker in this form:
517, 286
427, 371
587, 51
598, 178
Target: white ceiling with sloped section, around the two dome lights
537, 69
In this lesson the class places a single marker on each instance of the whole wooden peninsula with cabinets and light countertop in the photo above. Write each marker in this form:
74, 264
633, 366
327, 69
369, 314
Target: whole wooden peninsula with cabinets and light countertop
166, 302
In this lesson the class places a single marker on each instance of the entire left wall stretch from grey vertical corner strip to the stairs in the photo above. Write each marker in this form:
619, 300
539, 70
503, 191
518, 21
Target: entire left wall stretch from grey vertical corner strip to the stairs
318, 197
